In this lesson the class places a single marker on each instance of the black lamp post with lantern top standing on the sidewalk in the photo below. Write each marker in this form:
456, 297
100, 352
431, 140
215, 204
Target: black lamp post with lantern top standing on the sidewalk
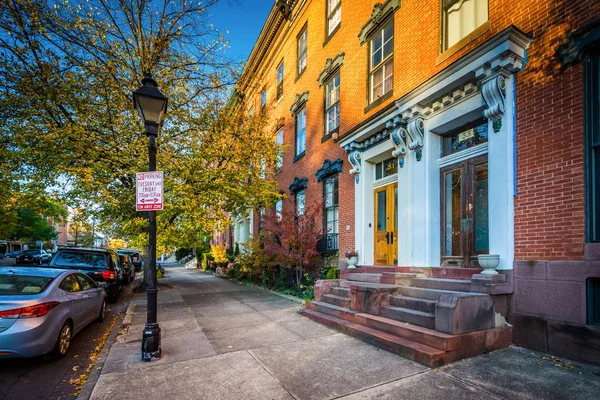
152, 106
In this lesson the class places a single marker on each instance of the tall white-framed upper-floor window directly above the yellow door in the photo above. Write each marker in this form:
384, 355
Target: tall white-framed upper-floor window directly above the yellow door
381, 62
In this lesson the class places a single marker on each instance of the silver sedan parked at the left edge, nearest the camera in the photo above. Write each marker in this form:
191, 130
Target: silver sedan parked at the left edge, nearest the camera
42, 309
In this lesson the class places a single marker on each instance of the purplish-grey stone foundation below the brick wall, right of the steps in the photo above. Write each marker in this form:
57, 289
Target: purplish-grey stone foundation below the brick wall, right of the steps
548, 308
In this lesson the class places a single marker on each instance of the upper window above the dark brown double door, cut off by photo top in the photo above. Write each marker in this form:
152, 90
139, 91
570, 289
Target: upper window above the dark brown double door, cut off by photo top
461, 17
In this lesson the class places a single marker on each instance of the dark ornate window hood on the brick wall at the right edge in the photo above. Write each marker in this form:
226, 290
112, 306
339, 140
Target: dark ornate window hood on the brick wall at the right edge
578, 43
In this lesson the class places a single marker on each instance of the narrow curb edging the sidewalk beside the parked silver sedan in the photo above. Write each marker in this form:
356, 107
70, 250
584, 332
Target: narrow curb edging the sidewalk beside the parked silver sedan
122, 320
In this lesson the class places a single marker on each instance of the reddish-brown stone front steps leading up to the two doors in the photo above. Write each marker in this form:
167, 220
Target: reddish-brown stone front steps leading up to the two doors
424, 319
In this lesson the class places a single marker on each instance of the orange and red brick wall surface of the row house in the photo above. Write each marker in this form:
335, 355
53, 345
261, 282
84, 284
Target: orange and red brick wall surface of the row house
549, 213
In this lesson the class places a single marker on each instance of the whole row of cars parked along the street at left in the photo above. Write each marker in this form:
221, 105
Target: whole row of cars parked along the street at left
43, 307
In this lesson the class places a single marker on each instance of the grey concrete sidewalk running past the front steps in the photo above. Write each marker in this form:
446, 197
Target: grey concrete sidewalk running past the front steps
222, 340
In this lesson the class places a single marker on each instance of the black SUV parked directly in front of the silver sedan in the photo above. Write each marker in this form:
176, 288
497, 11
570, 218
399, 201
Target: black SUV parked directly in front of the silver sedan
100, 265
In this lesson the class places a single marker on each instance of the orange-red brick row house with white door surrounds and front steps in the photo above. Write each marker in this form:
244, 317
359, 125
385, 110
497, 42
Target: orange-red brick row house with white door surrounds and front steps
433, 132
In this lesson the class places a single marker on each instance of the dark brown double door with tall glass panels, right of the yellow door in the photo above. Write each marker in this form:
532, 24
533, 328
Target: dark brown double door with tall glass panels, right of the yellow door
464, 212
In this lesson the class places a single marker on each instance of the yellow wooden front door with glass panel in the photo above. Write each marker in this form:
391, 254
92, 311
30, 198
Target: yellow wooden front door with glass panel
386, 225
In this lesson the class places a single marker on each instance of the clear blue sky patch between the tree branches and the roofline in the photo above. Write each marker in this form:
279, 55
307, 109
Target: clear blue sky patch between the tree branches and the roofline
244, 20
